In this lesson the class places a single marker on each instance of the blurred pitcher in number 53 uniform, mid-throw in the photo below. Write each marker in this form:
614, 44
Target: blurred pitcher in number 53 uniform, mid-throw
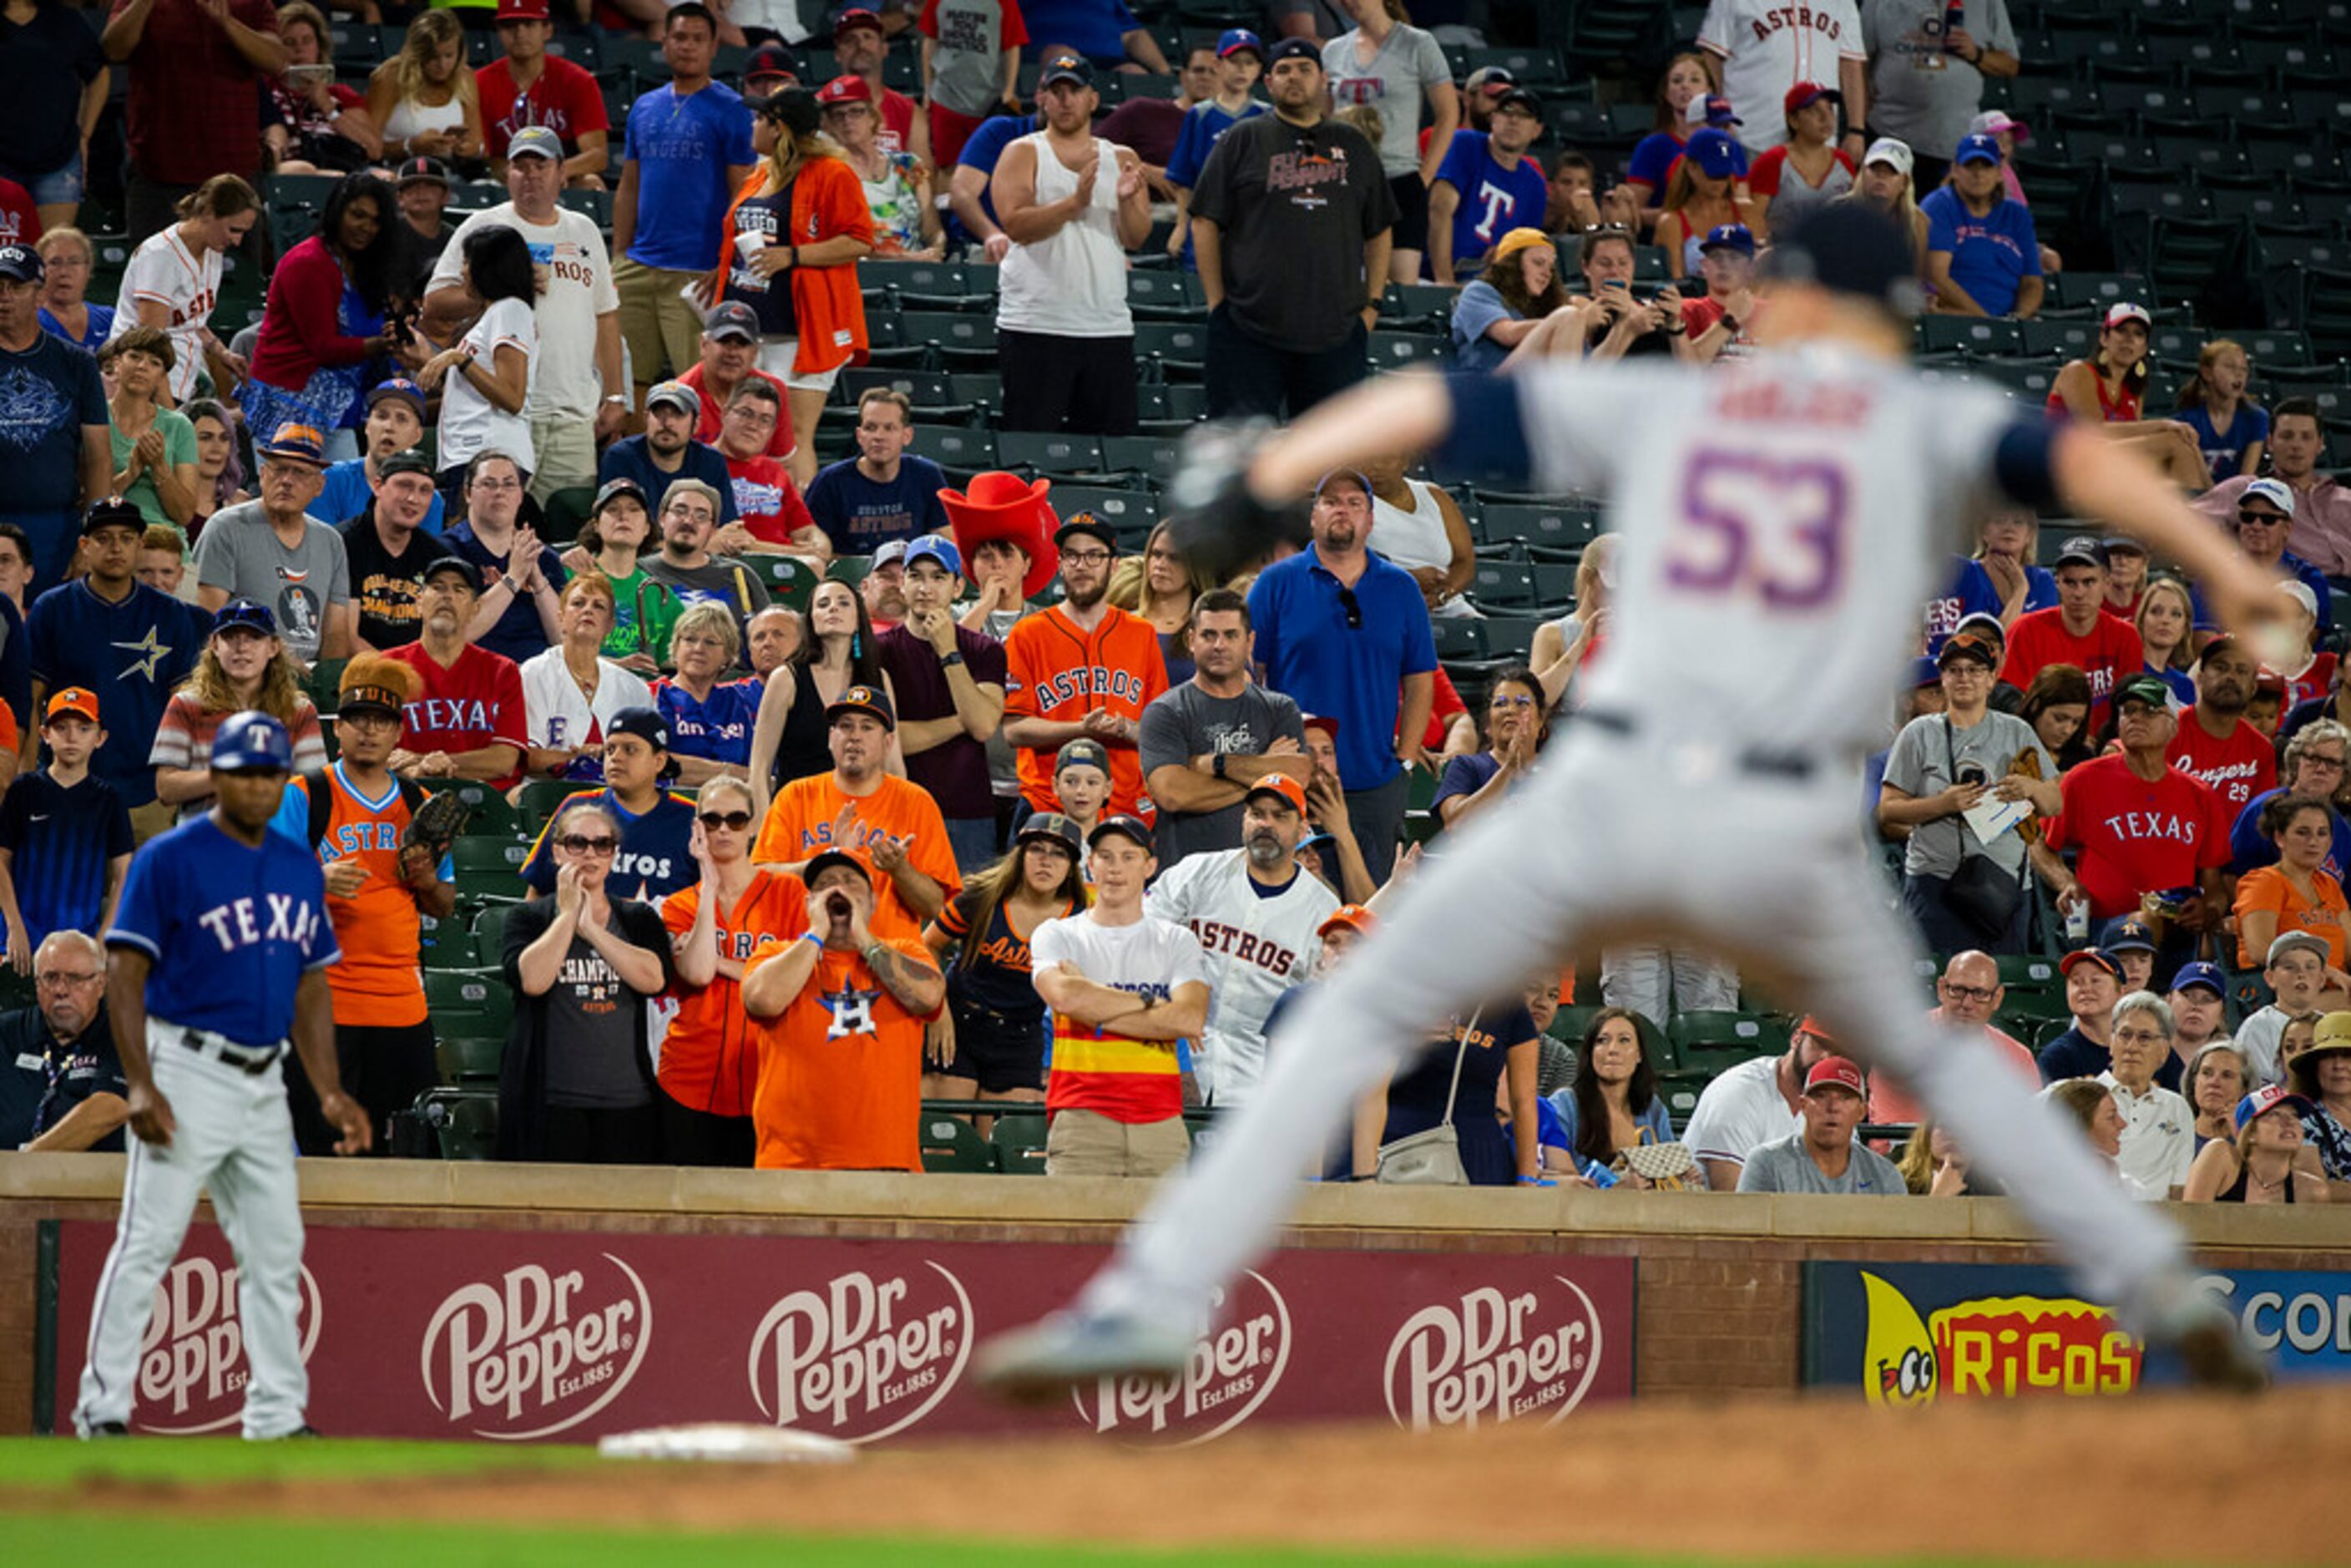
1781, 525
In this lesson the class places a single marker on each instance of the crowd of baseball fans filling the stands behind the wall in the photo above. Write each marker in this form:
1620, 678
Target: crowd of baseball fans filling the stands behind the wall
530, 497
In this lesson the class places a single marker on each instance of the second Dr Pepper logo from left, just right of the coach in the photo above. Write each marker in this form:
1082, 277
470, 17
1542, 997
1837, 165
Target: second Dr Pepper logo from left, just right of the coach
537, 1353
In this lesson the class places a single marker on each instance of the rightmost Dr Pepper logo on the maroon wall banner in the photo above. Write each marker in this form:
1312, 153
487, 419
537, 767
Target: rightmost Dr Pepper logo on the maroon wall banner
1492, 1358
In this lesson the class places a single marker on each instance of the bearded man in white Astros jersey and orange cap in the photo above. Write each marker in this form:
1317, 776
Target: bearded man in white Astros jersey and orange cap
1257, 916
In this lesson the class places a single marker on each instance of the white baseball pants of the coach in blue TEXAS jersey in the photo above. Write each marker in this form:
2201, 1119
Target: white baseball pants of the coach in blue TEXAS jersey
232, 1134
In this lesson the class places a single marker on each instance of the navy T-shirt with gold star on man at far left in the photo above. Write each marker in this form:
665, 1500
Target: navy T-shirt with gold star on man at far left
133, 657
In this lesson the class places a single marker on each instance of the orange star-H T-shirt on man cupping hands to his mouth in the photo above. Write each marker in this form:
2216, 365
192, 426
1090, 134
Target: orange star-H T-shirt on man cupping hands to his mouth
840, 1073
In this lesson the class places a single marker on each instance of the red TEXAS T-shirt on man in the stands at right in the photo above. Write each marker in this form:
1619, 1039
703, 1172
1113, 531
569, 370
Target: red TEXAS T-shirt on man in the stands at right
2136, 836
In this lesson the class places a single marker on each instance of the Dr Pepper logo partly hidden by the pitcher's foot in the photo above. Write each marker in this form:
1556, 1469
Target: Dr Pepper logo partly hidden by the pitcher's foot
1233, 1369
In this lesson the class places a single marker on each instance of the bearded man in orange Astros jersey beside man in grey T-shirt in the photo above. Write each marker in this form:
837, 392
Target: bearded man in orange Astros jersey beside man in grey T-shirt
1054, 662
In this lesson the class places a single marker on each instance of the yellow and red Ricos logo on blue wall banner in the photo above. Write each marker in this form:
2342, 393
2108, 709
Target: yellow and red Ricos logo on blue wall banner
1992, 1348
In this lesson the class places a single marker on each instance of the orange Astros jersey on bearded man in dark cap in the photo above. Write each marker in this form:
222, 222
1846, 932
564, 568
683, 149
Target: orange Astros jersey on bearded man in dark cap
1059, 671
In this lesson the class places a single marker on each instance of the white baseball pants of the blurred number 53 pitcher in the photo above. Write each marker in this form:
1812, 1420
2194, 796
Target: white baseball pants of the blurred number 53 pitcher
1626, 838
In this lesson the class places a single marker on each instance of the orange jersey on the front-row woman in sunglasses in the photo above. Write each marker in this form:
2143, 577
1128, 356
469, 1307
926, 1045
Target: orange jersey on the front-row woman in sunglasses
711, 1052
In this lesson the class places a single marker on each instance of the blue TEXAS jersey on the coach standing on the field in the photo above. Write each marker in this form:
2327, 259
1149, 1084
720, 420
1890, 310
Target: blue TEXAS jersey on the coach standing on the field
229, 930
